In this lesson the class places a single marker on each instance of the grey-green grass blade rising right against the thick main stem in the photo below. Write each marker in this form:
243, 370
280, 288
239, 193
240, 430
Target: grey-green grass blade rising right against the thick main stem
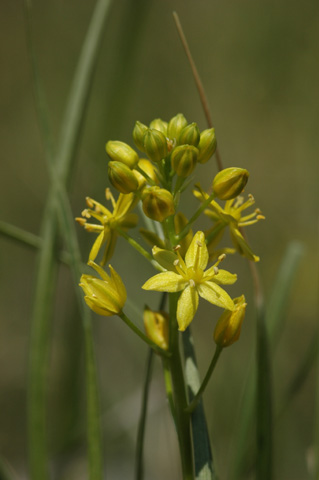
203, 458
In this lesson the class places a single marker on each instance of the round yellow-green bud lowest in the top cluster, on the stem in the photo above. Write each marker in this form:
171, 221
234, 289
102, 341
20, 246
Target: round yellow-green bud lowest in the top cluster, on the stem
158, 203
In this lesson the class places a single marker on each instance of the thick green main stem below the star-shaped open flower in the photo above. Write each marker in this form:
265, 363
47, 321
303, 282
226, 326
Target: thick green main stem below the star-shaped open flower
179, 393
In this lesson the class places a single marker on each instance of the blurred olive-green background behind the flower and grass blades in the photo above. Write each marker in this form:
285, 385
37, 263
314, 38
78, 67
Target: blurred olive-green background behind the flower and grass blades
259, 64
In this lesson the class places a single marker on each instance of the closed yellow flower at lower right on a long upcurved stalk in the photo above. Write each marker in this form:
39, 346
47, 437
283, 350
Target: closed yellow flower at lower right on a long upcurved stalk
227, 330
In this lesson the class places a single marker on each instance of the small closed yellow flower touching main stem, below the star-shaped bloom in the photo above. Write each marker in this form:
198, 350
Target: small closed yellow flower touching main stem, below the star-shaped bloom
157, 327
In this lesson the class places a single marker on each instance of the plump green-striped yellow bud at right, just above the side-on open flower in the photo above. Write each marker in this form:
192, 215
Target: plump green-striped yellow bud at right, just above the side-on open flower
230, 182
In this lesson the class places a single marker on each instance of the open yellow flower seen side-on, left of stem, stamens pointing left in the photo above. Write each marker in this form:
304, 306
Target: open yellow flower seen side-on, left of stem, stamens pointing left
120, 217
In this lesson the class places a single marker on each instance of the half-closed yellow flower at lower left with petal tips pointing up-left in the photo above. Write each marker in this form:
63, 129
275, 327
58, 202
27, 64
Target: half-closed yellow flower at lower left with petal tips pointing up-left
107, 296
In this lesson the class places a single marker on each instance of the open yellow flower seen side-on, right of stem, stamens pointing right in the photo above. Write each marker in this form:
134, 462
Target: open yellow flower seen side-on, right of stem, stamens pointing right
231, 215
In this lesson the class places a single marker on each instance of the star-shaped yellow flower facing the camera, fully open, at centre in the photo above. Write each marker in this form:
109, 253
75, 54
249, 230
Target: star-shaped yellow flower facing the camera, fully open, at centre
190, 278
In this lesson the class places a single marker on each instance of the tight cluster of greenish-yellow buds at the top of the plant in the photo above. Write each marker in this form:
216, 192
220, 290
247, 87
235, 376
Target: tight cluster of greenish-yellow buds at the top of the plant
173, 149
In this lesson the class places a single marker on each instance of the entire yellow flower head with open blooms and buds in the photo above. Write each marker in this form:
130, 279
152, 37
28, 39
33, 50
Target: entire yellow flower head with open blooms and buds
172, 151
